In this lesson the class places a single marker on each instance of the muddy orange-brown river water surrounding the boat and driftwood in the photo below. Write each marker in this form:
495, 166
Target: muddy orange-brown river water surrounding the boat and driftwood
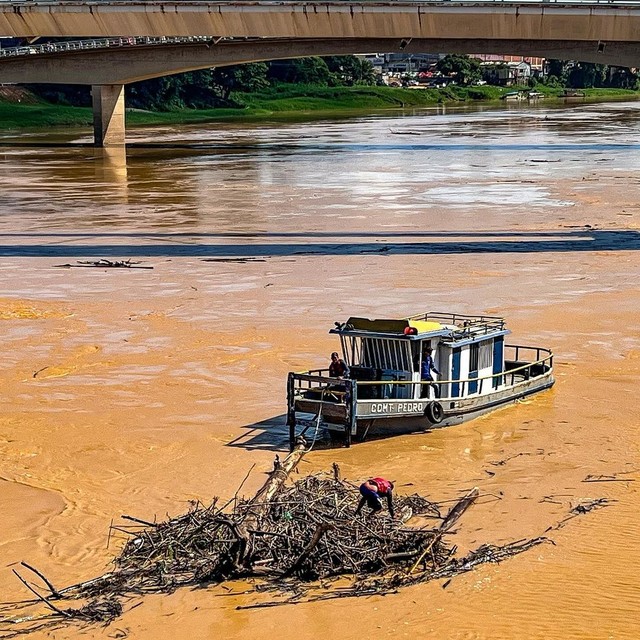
135, 391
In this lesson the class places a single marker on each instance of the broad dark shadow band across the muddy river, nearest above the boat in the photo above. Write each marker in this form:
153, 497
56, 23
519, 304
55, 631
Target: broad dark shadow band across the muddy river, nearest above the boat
547, 242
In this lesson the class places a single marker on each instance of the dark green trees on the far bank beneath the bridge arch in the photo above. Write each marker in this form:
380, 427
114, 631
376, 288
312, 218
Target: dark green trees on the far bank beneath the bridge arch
228, 86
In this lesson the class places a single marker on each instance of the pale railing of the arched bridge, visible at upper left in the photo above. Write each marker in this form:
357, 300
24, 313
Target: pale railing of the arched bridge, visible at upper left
102, 43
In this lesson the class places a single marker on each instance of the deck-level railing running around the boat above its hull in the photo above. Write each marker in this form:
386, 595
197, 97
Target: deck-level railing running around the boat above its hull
516, 372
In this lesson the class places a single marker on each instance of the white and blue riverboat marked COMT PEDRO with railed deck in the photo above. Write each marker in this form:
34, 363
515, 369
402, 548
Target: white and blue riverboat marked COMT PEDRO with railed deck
383, 392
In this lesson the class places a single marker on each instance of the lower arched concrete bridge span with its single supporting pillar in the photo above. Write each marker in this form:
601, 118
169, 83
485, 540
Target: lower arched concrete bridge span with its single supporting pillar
107, 70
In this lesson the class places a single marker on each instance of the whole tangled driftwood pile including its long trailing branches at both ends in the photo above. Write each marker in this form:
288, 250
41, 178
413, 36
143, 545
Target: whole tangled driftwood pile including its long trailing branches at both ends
289, 537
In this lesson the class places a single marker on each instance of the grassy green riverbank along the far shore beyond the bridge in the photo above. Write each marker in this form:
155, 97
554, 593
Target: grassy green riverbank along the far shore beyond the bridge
21, 110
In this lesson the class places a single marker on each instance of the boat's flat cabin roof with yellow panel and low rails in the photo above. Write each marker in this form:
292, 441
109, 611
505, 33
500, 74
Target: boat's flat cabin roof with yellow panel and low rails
433, 324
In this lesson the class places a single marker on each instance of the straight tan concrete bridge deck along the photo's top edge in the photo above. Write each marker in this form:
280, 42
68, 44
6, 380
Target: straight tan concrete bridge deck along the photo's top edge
607, 21
